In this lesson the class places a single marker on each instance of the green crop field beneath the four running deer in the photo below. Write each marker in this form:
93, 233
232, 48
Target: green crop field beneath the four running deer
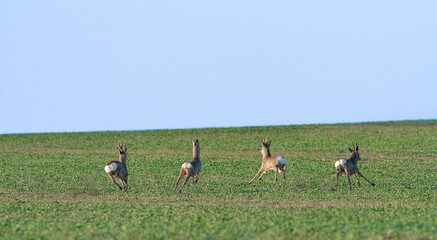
54, 186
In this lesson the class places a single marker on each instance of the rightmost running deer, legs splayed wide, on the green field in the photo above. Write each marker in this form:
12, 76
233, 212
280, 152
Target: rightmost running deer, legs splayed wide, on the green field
349, 167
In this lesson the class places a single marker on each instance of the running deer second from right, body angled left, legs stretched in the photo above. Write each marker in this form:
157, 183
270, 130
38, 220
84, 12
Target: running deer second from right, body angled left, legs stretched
270, 163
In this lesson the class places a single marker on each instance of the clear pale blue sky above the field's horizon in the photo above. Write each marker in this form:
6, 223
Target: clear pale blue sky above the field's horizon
130, 65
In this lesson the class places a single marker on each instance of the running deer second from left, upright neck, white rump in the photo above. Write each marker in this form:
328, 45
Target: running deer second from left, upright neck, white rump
192, 168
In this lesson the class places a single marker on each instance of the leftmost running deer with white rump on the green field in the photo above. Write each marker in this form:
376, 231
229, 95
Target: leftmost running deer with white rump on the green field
118, 169
